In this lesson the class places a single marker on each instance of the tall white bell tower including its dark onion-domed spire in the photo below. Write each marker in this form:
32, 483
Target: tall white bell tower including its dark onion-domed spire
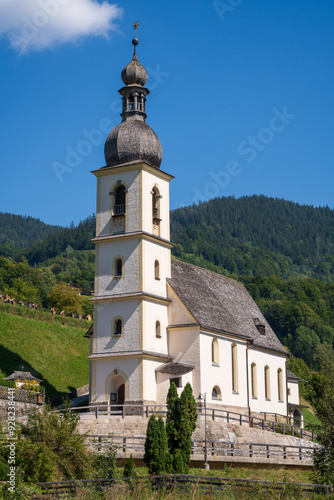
133, 257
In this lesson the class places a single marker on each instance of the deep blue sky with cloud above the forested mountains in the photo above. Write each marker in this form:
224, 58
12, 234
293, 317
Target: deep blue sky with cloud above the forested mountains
241, 98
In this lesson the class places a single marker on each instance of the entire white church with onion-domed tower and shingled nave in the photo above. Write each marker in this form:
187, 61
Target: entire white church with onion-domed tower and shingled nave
156, 319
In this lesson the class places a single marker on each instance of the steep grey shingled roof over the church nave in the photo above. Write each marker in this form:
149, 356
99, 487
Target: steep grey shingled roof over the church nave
221, 304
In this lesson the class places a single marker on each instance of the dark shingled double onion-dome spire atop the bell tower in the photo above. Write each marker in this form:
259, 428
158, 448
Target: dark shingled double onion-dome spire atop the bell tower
133, 140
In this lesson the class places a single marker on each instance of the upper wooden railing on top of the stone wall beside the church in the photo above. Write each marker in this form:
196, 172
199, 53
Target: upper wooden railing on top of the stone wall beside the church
229, 417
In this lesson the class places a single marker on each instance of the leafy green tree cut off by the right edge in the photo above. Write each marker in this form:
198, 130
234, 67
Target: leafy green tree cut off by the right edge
323, 456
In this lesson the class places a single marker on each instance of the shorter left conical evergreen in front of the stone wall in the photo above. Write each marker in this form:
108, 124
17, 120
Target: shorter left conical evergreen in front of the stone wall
156, 446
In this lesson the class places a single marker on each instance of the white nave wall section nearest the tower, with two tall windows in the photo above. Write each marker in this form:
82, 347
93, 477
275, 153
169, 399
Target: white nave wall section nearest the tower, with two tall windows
221, 375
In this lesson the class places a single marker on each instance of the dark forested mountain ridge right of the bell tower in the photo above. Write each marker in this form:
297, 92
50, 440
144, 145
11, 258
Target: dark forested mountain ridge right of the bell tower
256, 236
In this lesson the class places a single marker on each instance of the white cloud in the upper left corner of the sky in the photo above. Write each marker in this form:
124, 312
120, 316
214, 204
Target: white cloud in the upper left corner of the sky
40, 24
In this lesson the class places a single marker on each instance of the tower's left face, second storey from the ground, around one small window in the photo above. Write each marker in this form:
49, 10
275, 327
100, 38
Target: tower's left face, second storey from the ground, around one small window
105, 313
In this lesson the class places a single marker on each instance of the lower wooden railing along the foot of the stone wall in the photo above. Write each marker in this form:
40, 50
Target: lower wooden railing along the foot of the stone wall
265, 451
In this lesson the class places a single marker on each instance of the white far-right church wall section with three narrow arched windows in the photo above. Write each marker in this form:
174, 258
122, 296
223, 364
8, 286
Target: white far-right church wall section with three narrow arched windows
274, 361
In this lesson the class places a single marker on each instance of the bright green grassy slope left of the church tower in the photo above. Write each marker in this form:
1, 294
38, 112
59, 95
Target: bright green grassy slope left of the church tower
55, 353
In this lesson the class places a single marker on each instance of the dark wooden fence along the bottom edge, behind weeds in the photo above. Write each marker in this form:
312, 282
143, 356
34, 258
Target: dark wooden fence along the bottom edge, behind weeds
197, 485
